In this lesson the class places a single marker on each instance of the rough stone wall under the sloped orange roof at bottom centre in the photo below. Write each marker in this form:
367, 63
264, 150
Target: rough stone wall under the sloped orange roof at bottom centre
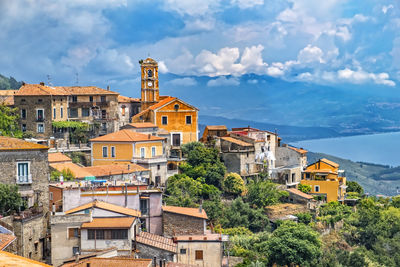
177, 224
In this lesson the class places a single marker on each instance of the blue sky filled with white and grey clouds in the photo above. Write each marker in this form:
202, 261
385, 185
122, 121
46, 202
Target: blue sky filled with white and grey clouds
99, 42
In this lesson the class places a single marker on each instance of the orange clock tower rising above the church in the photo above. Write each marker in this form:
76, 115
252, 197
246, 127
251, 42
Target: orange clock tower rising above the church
150, 92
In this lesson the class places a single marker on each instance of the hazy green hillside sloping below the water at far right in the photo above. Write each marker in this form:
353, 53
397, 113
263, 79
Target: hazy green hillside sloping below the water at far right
376, 179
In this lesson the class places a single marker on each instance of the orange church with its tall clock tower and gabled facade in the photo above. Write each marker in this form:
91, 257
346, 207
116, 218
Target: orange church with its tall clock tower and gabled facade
169, 113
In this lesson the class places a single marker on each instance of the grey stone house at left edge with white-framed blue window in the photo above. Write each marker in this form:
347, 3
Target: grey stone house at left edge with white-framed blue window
26, 165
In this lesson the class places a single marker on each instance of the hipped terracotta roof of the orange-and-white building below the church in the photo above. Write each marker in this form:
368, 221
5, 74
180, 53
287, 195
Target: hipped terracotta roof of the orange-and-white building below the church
126, 136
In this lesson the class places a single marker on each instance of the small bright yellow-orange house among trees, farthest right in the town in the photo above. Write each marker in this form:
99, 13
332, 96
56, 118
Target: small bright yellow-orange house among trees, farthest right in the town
325, 179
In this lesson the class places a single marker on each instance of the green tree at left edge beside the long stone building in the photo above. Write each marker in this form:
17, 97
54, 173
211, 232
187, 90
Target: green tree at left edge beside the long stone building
9, 121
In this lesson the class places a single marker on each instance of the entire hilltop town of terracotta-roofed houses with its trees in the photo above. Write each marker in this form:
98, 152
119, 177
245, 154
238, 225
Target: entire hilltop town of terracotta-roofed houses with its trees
93, 178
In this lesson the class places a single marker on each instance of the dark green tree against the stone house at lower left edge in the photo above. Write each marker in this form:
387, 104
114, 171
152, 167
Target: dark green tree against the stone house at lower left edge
10, 199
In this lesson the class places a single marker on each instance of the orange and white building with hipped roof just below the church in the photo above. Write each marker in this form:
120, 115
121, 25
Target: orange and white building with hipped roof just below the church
127, 146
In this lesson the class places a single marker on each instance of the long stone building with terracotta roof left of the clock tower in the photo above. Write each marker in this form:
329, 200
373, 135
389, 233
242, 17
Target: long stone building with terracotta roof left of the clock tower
41, 105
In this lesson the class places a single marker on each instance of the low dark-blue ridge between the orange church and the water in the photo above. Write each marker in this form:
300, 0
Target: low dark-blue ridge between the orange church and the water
286, 132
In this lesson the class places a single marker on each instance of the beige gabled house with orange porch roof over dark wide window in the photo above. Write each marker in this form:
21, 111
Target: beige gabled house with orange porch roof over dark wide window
94, 226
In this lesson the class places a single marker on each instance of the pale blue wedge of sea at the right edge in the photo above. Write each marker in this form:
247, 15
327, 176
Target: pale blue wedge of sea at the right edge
383, 148
